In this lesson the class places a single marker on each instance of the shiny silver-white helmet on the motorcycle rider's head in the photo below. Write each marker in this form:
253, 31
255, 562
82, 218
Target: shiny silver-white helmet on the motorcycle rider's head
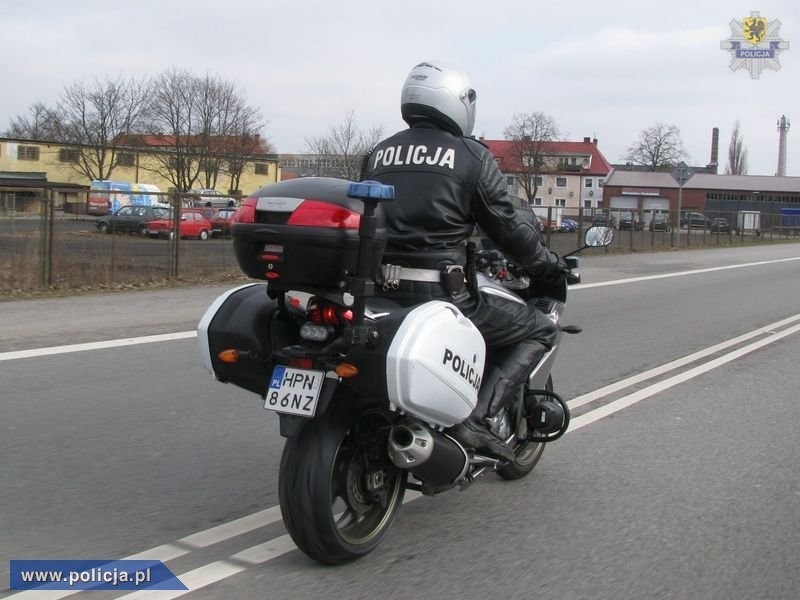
434, 92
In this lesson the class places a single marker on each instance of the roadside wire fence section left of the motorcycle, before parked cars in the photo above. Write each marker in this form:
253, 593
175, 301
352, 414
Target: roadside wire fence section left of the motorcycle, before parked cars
44, 246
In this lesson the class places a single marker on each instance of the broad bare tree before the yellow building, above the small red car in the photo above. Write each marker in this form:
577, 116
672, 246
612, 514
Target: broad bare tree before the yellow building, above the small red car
205, 127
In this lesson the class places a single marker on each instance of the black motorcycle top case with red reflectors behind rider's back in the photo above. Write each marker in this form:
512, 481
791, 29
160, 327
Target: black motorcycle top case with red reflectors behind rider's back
302, 234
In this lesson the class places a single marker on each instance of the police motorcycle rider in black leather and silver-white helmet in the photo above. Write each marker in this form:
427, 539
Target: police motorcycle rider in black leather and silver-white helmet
446, 182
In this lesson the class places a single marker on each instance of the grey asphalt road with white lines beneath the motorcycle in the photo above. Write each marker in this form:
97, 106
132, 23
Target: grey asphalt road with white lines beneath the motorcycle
678, 477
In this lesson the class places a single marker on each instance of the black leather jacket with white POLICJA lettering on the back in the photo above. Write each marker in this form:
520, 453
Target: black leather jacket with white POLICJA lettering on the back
444, 185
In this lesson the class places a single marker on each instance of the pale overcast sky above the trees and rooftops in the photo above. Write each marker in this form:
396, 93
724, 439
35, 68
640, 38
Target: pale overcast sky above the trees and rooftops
606, 70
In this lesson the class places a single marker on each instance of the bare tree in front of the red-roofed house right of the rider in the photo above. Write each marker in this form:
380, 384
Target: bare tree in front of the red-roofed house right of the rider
530, 134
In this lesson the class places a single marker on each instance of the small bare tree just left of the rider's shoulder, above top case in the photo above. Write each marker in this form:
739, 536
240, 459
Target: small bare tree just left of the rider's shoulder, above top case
341, 152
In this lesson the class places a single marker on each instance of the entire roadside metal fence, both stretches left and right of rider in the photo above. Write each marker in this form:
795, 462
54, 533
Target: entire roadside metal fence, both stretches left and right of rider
42, 246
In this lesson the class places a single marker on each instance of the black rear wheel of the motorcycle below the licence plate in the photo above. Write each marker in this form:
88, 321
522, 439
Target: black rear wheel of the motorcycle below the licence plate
339, 492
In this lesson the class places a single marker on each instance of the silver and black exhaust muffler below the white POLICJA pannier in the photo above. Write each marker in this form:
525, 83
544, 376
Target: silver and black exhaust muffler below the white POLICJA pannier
434, 458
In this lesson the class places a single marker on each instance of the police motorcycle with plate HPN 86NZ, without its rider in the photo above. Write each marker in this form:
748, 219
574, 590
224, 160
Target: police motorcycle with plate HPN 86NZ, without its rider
366, 391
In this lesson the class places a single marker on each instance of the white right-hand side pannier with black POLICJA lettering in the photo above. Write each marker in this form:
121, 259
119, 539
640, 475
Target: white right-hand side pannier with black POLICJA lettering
434, 364
